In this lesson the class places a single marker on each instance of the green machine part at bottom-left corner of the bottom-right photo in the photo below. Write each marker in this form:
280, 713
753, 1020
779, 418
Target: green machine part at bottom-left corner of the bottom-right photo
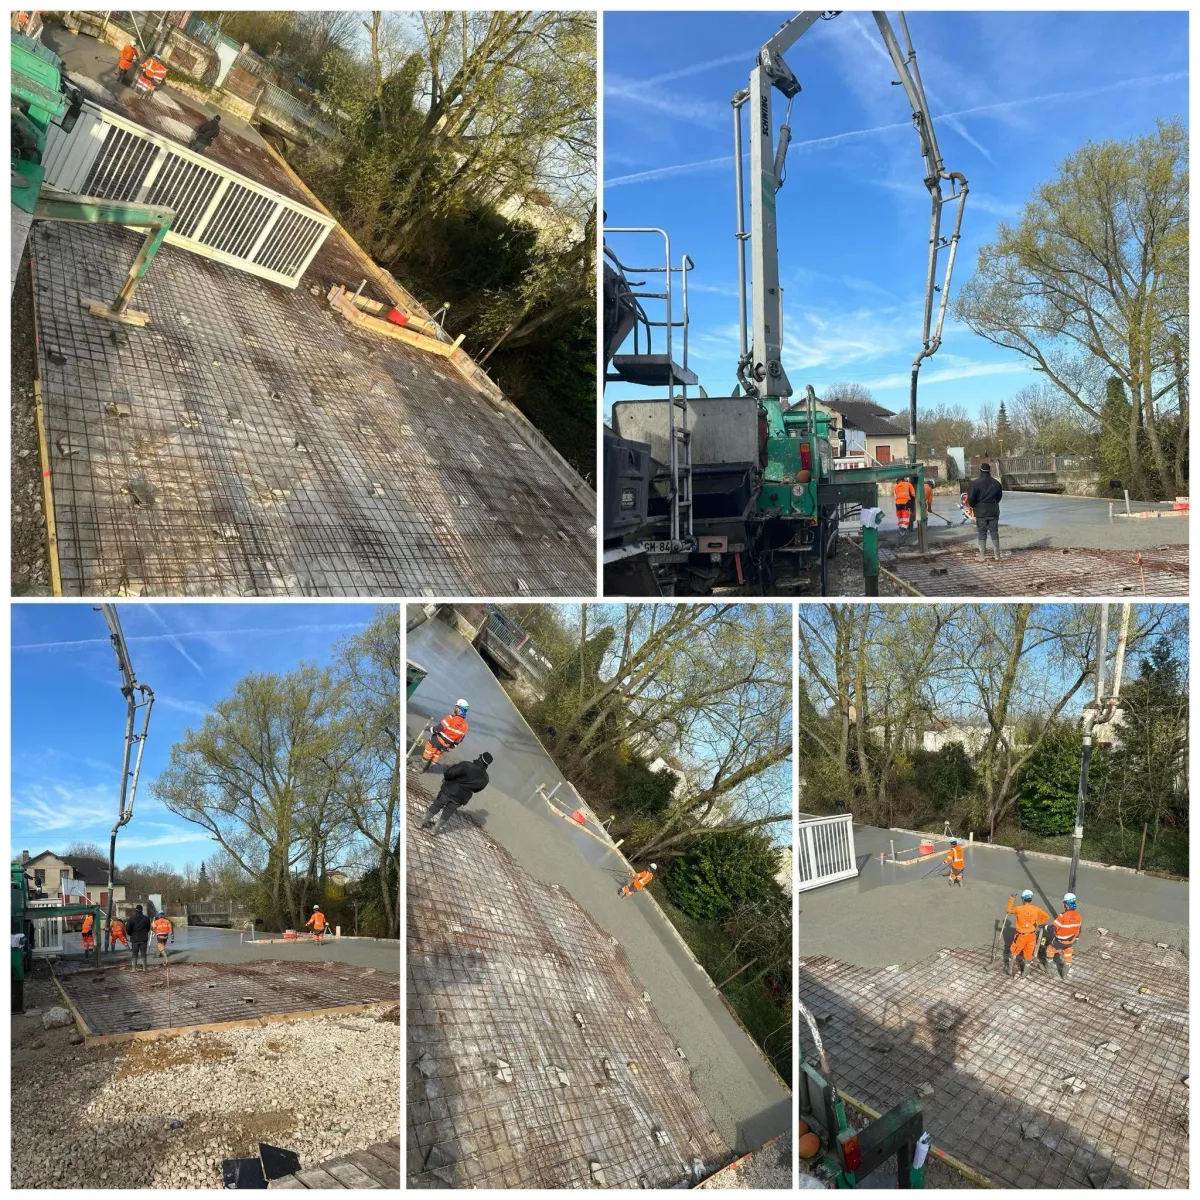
849, 1156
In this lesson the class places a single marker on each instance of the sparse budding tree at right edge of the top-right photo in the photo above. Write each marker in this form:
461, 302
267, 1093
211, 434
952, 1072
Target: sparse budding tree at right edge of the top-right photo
1094, 281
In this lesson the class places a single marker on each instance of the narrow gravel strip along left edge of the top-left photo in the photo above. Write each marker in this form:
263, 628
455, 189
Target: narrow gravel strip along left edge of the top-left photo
28, 561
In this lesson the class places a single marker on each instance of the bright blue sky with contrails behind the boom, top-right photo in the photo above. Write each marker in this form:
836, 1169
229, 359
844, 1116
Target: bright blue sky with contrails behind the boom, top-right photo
1029, 89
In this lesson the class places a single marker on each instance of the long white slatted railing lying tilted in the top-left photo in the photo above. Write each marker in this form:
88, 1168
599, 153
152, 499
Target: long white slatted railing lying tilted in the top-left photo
219, 214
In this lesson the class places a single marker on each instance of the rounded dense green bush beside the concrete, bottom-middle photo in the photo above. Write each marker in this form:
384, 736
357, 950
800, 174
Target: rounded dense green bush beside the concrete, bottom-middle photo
719, 874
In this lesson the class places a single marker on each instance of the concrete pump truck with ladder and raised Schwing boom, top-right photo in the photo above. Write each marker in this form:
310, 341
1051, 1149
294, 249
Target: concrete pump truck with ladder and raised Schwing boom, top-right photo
748, 493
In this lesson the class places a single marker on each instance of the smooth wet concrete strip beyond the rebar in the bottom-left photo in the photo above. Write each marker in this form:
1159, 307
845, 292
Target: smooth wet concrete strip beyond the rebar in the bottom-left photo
201, 945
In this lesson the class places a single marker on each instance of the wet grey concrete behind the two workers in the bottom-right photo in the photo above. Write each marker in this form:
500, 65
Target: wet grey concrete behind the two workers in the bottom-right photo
895, 914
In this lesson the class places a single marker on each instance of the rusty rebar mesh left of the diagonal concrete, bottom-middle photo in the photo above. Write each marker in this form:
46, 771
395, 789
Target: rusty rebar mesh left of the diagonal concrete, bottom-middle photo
509, 976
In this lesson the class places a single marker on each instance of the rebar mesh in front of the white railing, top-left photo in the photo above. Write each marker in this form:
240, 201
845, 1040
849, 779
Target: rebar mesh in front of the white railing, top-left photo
249, 442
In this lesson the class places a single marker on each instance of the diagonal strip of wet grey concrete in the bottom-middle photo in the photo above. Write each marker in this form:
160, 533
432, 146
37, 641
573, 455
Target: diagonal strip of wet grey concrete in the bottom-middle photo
746, 1099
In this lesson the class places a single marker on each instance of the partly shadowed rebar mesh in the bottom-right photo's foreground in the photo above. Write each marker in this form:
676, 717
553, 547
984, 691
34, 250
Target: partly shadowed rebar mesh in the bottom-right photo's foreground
999, 1054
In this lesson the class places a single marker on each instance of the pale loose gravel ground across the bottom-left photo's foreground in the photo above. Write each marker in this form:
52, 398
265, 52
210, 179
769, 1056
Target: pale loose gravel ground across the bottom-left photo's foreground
165, 1113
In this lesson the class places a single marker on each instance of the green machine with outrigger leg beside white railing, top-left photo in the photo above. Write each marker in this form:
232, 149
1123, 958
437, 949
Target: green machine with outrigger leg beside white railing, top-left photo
44, 98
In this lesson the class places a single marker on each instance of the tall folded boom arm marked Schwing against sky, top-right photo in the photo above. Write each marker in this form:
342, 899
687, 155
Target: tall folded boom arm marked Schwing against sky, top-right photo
760, 369
